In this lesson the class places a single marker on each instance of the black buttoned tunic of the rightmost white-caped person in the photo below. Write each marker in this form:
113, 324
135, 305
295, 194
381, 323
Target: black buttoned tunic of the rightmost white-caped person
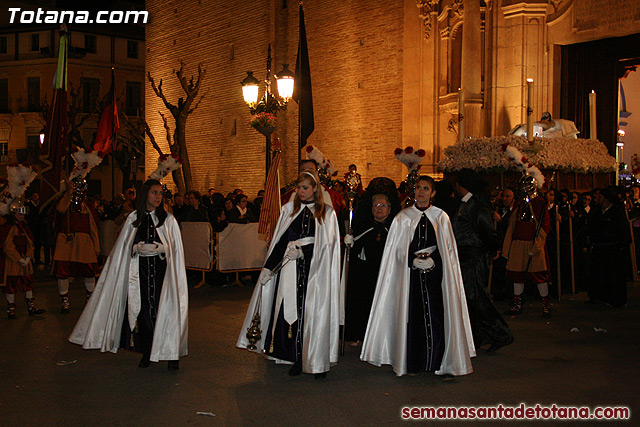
425, 328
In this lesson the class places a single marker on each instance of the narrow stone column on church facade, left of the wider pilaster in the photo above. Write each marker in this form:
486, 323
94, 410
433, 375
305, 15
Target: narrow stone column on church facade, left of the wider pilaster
471, 75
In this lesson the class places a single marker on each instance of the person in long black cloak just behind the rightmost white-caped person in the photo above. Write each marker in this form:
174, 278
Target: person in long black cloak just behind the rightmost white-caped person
477, 243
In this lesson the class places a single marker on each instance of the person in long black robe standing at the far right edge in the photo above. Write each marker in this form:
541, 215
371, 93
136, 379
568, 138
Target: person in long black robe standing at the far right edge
609, 237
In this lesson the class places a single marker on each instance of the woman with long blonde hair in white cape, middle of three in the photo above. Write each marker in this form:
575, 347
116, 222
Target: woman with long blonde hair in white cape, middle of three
298, 289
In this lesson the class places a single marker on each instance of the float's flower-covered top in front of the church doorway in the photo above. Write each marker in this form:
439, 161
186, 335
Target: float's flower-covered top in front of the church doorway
572, 163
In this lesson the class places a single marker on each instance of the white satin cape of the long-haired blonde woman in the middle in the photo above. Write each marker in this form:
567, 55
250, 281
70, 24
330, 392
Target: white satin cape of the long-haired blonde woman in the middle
320, 334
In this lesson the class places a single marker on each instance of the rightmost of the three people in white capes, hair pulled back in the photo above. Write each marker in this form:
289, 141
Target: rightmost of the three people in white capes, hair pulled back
419, 319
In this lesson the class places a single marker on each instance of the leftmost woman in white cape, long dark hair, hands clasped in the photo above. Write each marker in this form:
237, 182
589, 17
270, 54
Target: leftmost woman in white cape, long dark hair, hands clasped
141, 299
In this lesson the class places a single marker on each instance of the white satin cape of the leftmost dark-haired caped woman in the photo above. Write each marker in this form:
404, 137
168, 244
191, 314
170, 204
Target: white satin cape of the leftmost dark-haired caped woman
100, 324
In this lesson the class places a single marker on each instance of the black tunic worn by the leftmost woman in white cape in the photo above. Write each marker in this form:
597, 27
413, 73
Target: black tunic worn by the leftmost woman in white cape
152, 270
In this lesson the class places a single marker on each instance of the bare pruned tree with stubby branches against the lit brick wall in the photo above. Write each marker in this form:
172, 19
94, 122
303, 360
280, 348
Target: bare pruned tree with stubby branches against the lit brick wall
177, 142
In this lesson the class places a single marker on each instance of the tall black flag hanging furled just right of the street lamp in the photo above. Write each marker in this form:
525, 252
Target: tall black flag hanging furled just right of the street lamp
302, 87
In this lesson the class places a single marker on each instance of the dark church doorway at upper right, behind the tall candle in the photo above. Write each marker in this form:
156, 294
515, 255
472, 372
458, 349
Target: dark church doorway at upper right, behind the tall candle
595, 66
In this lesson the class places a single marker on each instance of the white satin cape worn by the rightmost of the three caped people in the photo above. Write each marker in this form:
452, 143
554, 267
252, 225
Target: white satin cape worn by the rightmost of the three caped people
385, 341
